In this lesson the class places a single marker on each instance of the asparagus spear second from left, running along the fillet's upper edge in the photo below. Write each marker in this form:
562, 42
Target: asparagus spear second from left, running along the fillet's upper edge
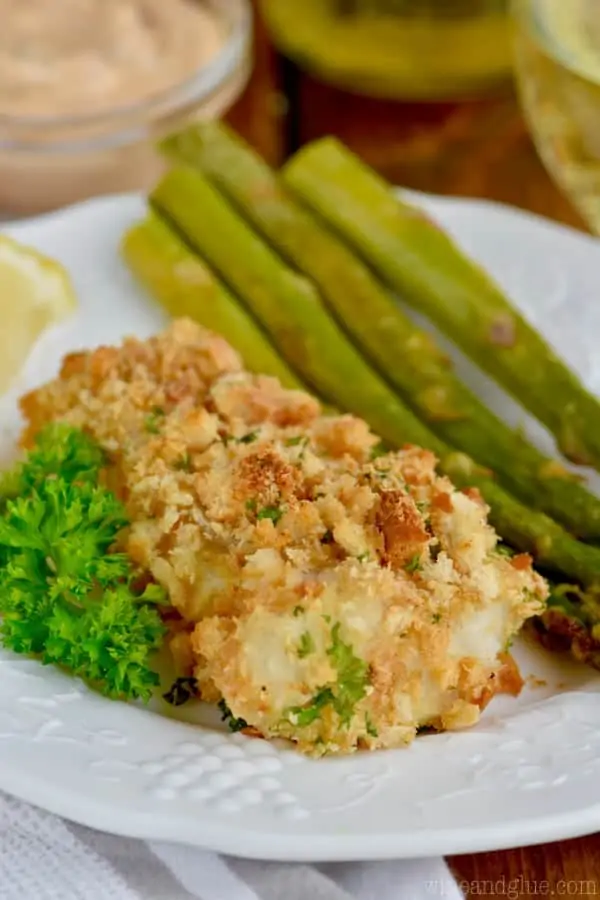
291, 310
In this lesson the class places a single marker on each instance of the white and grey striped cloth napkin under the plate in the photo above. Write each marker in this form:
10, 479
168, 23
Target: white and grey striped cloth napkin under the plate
43, 857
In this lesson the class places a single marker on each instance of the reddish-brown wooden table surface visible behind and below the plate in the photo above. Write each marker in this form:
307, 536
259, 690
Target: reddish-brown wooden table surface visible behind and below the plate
475, 149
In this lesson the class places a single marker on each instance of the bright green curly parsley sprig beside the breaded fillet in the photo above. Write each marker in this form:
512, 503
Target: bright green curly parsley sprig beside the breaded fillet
64, 596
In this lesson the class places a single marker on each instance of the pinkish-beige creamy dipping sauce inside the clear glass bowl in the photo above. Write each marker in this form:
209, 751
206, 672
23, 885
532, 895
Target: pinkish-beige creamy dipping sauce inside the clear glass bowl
85, 57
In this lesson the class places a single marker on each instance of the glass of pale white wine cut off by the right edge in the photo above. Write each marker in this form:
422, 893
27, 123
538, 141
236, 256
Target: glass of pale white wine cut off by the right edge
558, 71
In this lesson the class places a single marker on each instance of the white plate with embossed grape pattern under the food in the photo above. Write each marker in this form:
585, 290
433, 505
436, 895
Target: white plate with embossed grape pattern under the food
528, 773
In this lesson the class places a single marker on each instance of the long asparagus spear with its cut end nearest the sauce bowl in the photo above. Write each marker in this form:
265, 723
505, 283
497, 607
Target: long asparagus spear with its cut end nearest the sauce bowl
402, 352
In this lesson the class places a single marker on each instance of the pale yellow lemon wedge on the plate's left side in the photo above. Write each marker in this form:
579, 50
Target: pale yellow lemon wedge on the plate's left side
35, 293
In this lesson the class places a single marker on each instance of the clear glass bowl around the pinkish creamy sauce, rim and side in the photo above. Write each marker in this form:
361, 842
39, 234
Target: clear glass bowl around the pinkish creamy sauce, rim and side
51, 161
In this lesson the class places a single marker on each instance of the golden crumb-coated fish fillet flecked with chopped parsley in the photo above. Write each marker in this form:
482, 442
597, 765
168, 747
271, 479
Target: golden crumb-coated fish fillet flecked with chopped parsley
331, 594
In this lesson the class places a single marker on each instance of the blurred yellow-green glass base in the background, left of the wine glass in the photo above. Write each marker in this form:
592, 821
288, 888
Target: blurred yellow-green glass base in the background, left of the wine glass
403, 49
